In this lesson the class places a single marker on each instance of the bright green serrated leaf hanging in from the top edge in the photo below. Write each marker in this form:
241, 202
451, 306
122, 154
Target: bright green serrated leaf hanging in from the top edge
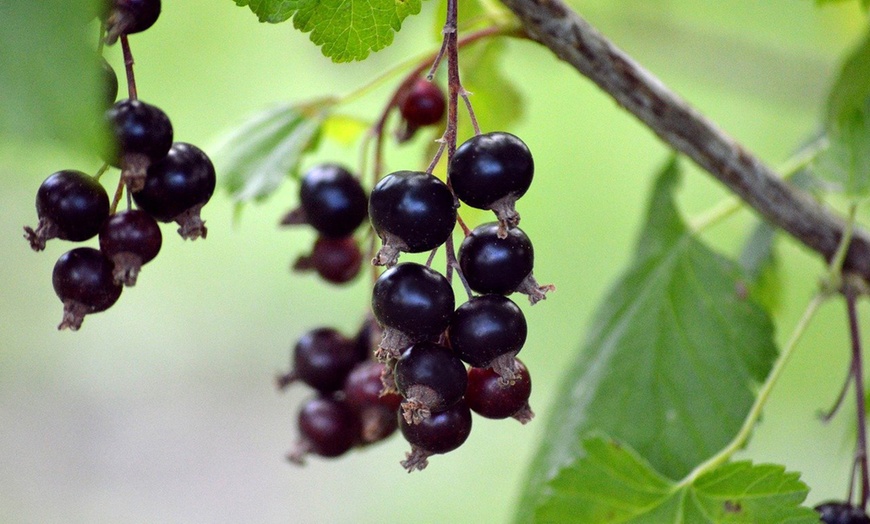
346, 30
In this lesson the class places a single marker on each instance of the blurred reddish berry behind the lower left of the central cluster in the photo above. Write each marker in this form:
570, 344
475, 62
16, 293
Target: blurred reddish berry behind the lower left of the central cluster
376, 409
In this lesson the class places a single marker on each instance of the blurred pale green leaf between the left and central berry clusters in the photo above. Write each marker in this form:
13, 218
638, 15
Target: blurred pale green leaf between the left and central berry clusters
258, 156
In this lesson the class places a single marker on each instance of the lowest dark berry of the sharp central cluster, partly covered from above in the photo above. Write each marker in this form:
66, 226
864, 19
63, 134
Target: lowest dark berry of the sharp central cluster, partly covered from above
440, 433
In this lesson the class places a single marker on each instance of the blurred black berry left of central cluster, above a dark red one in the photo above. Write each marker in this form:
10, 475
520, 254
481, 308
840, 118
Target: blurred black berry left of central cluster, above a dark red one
331, 200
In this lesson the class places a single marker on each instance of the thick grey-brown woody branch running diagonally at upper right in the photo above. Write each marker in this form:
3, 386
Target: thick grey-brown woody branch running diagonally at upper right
573, 40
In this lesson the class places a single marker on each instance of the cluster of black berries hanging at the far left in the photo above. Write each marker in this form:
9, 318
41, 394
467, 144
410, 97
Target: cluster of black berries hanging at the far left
168, 181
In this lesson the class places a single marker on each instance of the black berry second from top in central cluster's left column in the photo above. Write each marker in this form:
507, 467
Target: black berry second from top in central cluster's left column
413, 303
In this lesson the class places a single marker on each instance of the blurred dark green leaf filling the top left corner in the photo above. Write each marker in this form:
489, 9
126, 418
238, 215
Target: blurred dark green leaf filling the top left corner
50, 73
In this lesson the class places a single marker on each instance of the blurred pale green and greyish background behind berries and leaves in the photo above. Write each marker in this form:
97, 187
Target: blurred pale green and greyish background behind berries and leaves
162, 409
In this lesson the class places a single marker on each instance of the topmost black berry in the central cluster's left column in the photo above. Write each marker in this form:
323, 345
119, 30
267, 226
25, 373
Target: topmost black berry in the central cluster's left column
411, 211
